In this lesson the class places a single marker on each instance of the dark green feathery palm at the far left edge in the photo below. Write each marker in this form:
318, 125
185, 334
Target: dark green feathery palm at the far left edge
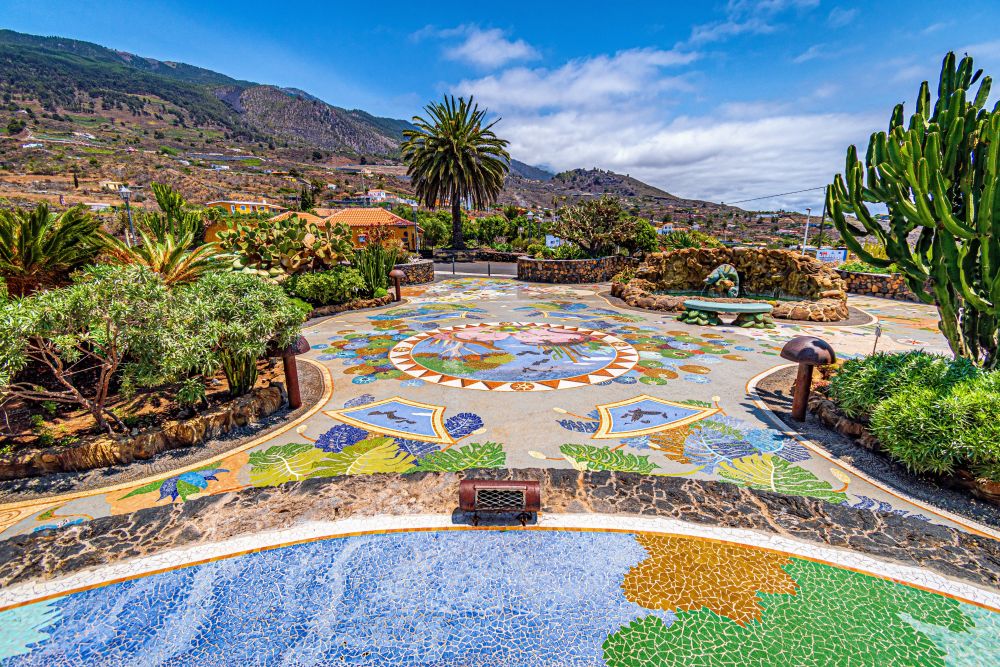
38, 248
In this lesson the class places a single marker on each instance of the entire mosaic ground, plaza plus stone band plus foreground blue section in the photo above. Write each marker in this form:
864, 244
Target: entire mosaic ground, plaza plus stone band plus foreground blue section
666, 566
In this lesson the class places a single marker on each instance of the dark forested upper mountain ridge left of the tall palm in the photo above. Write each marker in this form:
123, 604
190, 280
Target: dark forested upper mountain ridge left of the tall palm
75, 77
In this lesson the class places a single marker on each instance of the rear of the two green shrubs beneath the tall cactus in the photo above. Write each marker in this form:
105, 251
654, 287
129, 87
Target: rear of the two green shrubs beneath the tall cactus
861, 384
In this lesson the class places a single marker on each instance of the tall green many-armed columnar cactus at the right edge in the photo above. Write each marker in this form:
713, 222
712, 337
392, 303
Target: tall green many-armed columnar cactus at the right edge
939, 179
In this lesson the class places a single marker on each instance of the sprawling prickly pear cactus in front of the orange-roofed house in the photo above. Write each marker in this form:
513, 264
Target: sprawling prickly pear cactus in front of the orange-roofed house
280, 248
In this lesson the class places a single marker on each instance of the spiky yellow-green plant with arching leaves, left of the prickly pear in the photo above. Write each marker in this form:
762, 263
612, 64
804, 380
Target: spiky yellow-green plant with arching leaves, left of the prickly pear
171, 257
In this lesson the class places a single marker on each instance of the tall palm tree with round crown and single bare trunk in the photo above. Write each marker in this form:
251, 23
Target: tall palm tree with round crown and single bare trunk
454, 156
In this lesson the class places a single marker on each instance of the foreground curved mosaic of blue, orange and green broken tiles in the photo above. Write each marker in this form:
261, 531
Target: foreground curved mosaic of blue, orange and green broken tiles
431, 598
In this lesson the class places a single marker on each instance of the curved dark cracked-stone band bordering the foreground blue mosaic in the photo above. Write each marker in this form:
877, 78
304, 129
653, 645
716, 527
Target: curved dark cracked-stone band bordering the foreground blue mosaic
214, 518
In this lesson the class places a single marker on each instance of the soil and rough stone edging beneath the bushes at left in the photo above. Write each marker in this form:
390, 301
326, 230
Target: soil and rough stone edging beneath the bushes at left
157, 424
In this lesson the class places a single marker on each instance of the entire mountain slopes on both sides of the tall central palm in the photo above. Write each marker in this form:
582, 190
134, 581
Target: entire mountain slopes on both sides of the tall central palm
82, 109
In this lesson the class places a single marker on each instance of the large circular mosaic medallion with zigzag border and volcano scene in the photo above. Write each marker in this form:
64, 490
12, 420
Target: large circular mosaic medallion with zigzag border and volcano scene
514, 356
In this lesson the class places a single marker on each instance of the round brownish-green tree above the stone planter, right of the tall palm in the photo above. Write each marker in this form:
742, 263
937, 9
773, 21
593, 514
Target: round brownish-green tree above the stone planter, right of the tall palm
596, 226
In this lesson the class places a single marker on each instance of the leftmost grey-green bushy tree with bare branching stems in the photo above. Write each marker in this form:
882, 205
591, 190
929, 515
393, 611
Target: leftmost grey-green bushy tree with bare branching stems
83, 334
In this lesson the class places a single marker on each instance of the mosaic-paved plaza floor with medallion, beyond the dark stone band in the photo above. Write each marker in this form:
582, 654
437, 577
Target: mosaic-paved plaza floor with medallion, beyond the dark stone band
477, 372
